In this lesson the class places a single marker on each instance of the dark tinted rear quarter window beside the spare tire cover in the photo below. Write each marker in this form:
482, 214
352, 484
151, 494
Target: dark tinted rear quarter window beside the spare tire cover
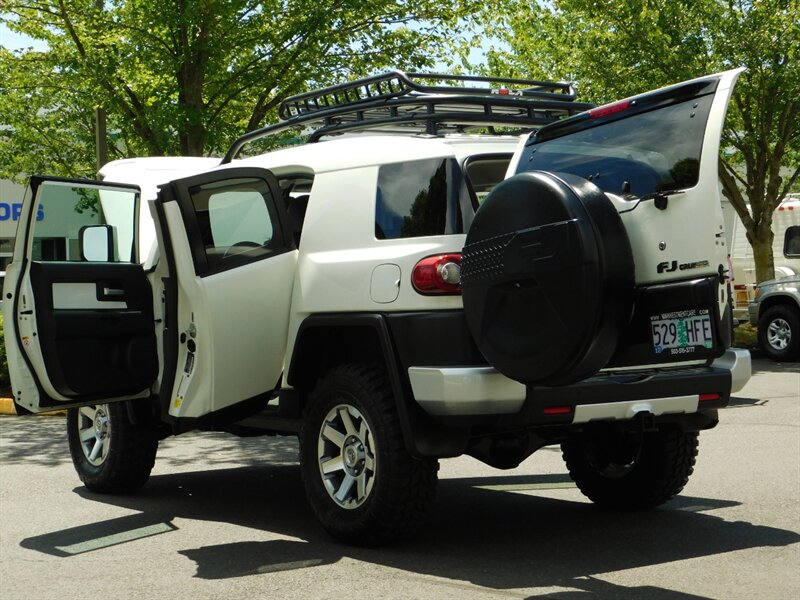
418, 198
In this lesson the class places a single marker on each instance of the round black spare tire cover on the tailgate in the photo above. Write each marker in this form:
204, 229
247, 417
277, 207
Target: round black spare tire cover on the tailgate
547, 276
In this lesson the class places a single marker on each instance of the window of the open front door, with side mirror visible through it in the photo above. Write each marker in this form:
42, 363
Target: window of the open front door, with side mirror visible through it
83, 223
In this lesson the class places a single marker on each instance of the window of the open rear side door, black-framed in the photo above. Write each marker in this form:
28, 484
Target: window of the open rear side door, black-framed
238, 222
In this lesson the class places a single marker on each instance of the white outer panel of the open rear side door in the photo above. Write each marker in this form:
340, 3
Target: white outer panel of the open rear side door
238, 320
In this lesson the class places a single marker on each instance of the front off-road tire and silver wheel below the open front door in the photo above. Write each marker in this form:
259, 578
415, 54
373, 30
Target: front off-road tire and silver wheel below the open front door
131, 450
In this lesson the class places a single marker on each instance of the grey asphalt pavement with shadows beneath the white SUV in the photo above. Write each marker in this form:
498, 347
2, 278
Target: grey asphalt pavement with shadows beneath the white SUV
223, 517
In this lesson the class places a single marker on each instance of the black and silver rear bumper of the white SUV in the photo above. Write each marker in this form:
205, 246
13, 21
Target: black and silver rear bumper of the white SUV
482, 391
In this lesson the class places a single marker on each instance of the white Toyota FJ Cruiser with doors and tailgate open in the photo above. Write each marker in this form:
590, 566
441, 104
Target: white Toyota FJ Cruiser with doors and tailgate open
419, 281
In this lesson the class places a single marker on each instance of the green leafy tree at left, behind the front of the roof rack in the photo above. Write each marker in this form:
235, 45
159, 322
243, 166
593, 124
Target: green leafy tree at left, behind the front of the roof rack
188, 76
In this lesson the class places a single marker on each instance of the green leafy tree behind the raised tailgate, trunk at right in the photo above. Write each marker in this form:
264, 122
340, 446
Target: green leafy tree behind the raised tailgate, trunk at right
616, 48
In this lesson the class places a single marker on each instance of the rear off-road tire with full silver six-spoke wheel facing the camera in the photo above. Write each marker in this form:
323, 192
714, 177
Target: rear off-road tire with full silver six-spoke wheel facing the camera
402, 487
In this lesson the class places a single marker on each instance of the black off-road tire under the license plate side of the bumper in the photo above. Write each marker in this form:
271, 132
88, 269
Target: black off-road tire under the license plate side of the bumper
631, 470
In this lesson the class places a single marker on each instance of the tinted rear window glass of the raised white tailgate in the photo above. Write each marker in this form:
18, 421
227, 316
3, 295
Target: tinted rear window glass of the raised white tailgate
642, 154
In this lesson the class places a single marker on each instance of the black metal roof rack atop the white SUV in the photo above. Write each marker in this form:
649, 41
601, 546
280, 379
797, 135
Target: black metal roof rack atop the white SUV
427, 103
